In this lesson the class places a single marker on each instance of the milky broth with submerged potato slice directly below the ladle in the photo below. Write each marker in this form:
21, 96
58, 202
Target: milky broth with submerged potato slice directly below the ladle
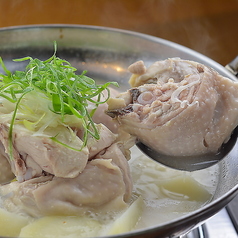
169, 194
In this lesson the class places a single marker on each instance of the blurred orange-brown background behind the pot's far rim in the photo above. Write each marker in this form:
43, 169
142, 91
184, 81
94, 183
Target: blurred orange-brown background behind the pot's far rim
207, 26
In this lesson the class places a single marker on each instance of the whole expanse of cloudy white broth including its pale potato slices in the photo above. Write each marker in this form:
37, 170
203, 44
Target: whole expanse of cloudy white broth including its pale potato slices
160, 194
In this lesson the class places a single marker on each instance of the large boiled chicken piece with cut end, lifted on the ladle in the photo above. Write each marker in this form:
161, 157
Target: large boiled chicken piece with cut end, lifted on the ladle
177, 107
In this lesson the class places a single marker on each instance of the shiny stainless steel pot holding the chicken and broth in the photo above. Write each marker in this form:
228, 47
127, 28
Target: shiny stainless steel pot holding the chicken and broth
106, 53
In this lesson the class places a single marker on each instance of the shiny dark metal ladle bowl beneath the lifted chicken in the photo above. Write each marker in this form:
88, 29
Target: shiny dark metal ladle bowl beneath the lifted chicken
191, 163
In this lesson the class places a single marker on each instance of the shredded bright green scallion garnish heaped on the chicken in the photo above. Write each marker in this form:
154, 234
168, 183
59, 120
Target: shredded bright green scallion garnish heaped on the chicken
57, 80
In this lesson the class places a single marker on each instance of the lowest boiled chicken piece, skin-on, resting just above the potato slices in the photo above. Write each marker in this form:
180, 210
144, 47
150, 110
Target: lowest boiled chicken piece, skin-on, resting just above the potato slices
104, 185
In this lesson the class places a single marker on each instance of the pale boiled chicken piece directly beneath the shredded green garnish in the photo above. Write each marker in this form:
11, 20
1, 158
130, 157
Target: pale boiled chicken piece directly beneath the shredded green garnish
37, 155
